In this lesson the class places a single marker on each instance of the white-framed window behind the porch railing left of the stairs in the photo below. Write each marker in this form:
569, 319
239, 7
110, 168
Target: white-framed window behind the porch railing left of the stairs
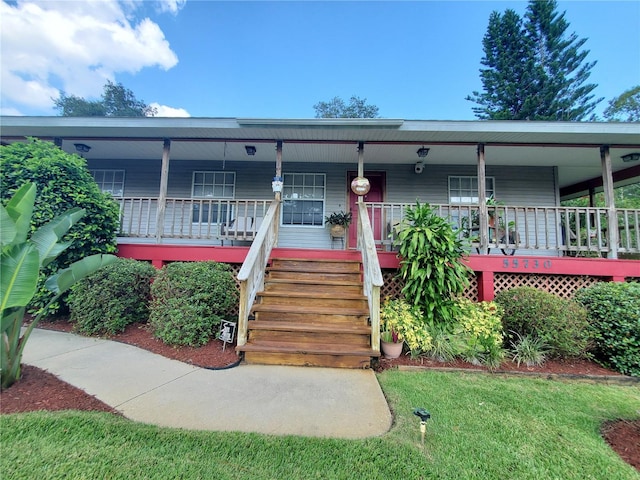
212, 186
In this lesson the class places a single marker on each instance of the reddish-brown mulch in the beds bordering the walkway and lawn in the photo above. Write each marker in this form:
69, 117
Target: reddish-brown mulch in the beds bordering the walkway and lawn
40, 390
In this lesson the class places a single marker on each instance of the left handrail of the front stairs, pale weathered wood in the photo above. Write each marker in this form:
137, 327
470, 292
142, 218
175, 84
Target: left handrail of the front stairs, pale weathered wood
251, 274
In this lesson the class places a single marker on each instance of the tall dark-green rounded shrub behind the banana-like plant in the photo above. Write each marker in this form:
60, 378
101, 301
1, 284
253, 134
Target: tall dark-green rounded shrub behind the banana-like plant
63, 182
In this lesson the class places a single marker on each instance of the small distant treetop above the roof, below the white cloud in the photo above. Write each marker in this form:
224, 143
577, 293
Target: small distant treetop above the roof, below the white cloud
117, 101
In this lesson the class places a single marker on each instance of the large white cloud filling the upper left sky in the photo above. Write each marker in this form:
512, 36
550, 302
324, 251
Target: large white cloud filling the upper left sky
75, 46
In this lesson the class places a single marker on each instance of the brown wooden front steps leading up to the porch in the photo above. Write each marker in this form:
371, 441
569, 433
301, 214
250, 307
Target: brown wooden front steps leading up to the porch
311, 313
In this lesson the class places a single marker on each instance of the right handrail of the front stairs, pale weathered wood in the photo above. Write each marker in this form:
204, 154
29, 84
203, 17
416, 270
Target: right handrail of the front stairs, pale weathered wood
372, 274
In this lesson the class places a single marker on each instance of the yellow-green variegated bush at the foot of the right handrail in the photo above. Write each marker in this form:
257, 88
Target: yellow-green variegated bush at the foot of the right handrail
399, 317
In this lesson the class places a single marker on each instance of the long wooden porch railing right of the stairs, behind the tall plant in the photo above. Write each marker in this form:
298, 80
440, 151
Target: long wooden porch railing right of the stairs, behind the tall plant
573, 230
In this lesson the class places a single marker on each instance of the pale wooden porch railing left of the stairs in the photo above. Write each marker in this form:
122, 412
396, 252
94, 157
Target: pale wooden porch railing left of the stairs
192, 218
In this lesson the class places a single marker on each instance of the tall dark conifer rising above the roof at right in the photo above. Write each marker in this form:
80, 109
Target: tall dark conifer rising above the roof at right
534, 69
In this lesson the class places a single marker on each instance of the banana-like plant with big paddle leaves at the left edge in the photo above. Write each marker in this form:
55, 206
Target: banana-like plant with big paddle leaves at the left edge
22, 258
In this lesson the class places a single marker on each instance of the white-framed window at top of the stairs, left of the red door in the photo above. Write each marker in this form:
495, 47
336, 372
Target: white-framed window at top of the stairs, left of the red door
303, 195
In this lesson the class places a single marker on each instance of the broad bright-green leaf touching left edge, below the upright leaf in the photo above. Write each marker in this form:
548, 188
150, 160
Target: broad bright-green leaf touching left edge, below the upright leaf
19, 267
